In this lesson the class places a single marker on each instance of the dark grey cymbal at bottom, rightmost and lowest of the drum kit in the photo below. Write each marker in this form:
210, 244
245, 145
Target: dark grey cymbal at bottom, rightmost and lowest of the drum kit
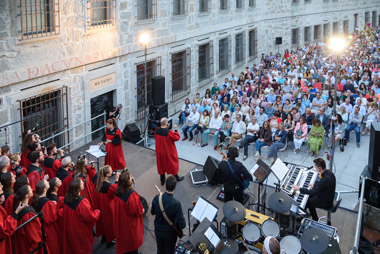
314, 241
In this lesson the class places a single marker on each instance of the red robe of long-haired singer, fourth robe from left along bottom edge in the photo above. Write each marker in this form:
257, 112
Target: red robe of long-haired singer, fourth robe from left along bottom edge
76, 225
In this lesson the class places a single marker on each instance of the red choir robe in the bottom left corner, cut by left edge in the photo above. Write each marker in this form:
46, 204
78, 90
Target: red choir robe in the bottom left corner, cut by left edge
8, 225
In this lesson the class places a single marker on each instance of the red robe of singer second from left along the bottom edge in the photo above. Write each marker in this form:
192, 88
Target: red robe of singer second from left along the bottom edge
29, 237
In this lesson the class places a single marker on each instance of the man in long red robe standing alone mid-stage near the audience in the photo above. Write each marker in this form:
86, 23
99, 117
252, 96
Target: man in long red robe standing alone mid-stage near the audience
166, 151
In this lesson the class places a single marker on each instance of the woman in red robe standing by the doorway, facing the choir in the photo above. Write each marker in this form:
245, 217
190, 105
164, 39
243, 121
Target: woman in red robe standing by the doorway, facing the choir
114, 147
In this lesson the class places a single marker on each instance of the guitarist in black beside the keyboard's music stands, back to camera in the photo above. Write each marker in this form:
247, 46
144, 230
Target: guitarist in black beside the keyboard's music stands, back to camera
234, 176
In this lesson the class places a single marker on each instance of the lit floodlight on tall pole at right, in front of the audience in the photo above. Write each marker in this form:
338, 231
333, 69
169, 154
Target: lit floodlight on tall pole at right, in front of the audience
337, 46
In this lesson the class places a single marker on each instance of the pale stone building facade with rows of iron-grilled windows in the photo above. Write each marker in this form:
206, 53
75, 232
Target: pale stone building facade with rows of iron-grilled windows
63, 61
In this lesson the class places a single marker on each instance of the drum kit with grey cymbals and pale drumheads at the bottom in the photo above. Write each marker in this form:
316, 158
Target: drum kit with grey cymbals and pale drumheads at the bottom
252, 228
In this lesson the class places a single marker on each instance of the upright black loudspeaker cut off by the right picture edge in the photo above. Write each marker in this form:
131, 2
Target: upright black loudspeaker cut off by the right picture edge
374, 149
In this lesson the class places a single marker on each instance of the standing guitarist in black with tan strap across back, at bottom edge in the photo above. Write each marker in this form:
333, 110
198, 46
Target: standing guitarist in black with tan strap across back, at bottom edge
166, 235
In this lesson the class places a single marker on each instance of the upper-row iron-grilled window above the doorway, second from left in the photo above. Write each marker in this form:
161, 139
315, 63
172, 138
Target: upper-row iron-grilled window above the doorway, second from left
102, 13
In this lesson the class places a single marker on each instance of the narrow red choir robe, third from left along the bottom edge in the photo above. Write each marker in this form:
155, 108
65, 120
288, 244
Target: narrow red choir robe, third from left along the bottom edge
52, 230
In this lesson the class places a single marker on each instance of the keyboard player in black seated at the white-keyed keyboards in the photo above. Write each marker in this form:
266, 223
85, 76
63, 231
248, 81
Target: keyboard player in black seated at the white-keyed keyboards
321, 194
